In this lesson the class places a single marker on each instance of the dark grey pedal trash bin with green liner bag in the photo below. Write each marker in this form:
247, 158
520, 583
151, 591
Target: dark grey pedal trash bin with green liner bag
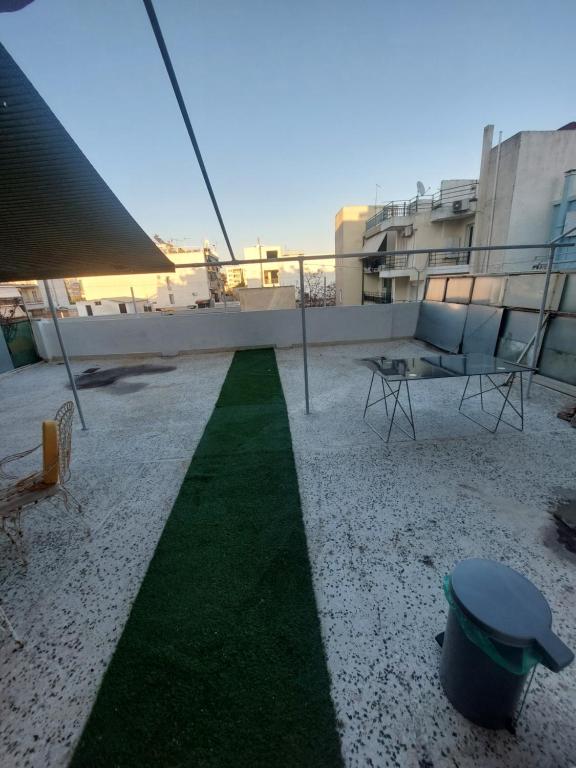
498, 629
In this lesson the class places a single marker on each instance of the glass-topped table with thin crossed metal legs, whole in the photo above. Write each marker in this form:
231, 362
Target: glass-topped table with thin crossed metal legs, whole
396, 374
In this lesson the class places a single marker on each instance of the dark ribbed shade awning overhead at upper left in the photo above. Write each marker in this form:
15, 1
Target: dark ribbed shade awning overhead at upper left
58, 218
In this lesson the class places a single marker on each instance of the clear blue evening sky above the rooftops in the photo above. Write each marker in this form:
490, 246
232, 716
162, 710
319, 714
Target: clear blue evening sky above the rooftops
300, 106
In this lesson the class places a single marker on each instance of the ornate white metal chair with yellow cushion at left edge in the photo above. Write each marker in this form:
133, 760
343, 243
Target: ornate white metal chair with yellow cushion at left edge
46, 484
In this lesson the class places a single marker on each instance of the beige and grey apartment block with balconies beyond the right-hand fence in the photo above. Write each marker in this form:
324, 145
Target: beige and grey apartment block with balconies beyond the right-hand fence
526, 193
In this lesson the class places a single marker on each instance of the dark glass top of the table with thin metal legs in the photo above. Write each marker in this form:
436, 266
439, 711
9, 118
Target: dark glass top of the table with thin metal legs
439, 366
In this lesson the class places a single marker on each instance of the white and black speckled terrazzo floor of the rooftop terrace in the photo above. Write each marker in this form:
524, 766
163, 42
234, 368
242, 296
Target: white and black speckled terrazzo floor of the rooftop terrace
384, 524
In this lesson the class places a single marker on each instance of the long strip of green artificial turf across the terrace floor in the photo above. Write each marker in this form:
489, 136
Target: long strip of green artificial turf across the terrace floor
221, 661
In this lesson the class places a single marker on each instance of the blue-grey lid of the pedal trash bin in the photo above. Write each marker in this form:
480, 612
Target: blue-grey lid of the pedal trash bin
508, 607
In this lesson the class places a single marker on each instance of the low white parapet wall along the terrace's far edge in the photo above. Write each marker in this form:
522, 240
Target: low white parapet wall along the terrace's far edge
155, 334
